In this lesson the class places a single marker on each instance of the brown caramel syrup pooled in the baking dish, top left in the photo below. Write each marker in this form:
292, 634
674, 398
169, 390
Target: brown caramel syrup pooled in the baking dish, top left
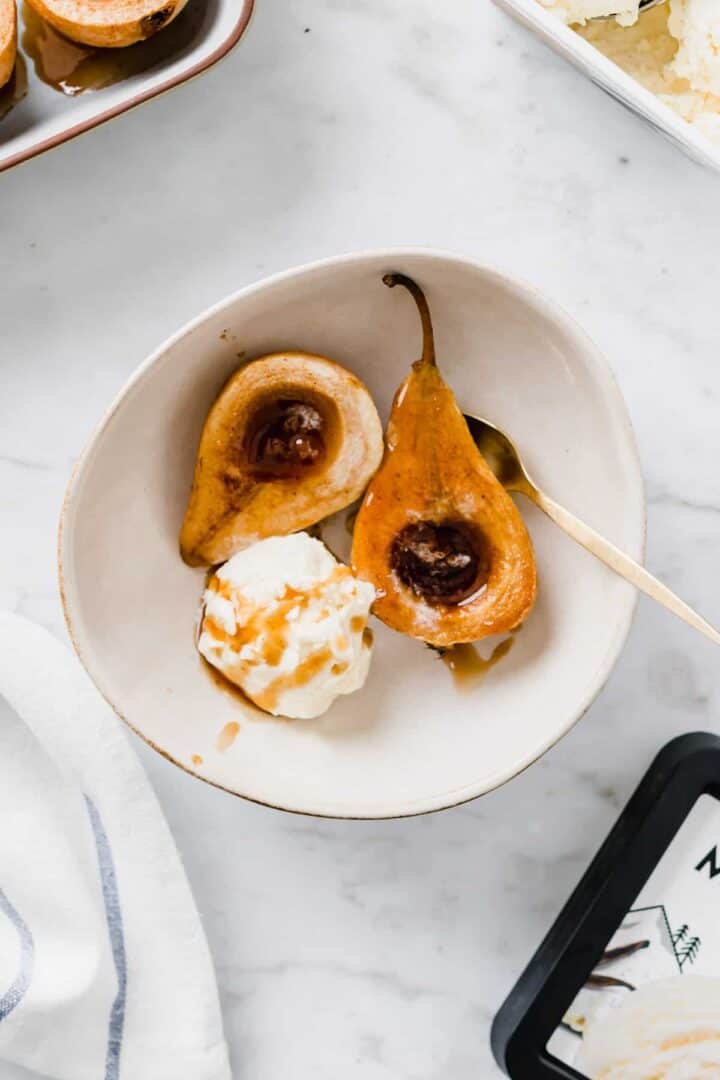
73, 69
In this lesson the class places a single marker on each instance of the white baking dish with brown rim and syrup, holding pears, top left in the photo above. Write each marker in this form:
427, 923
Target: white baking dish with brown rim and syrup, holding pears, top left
36, 116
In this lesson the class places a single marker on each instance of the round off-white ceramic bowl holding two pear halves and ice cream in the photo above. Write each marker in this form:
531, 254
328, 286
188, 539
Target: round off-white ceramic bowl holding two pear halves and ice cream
411, 741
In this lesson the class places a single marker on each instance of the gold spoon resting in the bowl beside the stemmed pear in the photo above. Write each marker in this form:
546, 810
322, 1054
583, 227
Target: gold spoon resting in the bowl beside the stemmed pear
504, 458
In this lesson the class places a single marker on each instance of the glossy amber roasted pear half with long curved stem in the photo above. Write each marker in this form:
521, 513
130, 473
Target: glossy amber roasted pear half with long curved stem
438, 535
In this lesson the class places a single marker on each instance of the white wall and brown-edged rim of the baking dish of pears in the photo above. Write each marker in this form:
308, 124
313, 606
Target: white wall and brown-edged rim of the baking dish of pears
46, 117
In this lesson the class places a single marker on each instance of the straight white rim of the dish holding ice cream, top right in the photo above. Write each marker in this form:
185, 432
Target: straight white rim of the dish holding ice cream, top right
613, 79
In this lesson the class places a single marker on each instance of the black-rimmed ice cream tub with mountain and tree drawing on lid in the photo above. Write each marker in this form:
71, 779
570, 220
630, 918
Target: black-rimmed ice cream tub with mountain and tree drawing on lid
628, 981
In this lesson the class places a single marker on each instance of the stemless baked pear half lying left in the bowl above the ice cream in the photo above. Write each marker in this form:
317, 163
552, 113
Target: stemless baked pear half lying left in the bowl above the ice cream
293, 439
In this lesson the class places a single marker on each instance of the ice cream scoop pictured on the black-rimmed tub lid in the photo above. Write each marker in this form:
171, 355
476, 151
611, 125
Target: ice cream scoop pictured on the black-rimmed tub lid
665, 1031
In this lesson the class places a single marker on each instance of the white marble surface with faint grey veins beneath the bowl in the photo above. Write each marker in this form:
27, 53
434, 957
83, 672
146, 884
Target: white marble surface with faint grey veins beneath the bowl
349, 950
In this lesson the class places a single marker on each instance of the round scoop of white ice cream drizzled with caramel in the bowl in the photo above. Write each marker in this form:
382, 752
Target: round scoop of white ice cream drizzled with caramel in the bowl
287, 623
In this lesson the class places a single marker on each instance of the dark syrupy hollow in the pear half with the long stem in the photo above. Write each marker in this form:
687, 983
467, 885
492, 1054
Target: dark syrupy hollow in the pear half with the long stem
442, 563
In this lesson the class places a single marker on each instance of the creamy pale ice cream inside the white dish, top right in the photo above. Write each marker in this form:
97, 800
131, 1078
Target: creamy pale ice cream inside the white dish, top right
673, 50
